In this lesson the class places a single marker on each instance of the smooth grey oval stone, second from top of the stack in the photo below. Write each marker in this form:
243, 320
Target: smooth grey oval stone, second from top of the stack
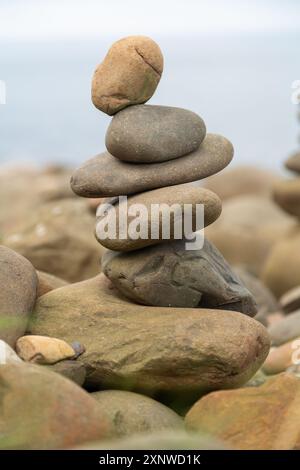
150, 134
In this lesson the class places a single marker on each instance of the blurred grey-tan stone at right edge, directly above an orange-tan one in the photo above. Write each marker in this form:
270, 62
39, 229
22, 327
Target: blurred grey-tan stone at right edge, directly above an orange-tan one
286, 329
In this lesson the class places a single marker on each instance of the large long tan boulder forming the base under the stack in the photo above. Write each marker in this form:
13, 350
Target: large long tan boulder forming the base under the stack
151, 349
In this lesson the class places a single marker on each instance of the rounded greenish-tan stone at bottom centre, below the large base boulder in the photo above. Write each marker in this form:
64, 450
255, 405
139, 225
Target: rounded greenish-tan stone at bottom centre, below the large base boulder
129, 413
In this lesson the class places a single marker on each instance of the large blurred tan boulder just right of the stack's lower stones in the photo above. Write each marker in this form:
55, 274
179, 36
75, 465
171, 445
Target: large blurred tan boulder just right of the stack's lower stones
247, 229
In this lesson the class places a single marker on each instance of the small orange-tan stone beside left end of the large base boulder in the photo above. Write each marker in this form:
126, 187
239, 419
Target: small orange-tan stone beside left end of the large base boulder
43, 350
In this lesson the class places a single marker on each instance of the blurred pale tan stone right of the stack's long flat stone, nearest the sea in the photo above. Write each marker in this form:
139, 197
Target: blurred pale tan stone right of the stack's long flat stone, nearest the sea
241, 180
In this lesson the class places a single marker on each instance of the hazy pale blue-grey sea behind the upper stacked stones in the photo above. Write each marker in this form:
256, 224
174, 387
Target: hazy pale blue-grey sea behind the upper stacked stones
240, 84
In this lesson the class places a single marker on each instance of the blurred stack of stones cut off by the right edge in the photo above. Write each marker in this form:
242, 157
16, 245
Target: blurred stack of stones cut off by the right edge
282, 268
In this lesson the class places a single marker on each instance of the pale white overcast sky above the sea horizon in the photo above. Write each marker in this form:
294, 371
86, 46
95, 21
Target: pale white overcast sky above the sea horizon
51, 19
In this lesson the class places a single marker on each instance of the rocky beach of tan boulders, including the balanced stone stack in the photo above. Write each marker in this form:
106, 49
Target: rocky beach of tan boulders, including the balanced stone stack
130, 343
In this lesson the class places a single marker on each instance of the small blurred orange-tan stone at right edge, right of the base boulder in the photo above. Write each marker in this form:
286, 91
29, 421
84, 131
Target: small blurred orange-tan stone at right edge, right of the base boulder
279, 359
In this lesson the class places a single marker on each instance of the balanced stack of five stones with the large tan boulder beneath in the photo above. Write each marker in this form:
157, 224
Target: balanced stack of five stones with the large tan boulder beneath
162, 322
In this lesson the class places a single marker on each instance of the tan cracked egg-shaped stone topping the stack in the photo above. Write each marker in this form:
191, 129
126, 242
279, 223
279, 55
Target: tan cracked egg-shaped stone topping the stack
128, 75
